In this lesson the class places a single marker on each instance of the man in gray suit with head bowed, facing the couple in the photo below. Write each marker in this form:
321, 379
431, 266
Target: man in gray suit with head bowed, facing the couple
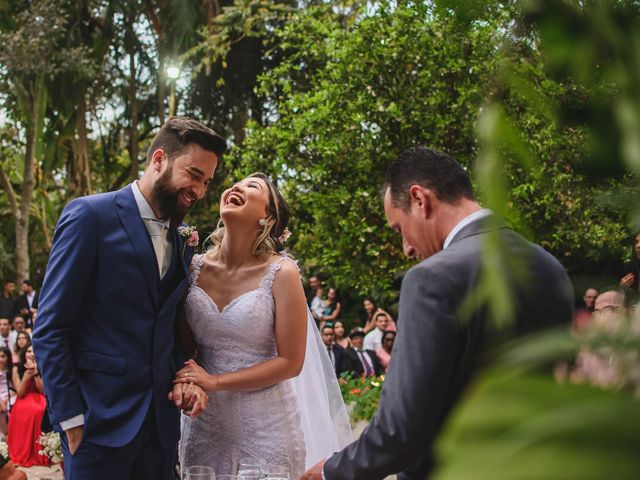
429, 201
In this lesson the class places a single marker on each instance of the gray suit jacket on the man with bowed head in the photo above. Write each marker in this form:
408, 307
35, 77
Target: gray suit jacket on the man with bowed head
436, 351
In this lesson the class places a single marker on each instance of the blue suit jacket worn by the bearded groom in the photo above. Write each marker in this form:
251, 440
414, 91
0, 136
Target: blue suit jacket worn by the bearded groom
104, 337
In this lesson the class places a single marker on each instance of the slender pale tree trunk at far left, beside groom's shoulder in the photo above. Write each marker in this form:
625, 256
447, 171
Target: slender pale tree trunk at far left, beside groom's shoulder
28, 182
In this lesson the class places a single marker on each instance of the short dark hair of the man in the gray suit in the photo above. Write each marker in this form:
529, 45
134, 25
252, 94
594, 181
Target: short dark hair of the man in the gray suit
431, 169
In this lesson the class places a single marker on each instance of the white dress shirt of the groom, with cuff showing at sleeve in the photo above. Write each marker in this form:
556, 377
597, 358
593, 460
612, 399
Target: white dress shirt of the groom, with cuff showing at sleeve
158, 230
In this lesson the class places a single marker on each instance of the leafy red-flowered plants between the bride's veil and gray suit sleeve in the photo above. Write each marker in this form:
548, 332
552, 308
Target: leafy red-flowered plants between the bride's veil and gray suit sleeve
361, 395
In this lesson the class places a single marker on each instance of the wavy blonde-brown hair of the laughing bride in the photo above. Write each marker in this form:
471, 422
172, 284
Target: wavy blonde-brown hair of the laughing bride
268, 241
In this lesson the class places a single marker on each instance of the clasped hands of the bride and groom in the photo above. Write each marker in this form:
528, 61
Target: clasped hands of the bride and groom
190, 390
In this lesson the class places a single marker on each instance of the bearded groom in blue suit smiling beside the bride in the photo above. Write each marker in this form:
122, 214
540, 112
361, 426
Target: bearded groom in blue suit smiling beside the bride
104, 338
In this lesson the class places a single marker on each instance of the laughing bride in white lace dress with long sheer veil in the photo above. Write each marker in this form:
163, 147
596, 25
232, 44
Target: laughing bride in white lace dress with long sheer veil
272, 391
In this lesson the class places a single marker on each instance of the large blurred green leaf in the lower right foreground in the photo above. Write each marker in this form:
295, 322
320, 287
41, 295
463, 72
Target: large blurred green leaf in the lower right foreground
514, 426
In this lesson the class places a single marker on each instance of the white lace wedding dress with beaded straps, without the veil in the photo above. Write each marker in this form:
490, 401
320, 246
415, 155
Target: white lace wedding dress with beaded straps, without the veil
264, 423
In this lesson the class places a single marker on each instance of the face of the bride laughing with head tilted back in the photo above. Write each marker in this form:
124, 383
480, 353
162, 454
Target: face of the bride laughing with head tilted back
247, 200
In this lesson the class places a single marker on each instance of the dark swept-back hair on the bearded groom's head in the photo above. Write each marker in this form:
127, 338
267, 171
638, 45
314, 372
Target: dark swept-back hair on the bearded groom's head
177, 133
